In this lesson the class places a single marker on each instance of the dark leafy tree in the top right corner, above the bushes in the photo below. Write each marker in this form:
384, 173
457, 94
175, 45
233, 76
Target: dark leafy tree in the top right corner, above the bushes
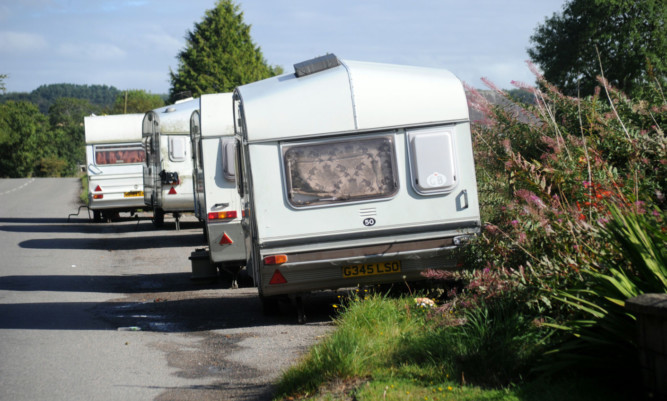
630, 35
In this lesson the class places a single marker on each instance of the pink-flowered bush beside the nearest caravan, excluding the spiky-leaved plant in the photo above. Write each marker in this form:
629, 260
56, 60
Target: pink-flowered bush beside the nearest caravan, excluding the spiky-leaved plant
548, 173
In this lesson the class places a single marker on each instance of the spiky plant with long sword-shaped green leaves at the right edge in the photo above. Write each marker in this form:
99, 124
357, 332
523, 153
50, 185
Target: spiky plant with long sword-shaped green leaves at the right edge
602, 330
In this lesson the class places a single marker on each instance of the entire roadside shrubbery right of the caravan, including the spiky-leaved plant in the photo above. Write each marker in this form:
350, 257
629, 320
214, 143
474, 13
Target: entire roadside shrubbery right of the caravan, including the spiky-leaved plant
556, 177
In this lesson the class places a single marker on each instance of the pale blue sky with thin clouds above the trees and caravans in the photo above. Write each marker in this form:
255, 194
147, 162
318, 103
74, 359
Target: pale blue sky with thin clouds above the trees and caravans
132, 44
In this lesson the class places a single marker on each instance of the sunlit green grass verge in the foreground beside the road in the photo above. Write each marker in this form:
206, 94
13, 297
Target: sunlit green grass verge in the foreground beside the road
388, 349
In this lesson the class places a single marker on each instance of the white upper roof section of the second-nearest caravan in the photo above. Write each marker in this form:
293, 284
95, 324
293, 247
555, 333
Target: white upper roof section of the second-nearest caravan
217, 116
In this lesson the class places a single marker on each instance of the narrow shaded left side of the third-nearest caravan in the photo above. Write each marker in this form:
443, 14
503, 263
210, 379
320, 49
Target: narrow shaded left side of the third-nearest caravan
150, 139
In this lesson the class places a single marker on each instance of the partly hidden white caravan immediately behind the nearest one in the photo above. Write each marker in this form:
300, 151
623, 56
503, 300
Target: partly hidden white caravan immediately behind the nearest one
217, 202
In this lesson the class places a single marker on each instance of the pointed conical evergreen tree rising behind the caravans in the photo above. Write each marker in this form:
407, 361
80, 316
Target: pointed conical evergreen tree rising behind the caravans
219, 55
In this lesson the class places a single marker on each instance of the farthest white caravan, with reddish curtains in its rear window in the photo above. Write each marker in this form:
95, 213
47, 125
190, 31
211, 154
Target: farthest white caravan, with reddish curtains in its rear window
114, 156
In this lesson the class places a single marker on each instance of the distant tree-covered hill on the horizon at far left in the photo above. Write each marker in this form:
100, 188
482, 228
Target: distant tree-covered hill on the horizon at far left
44, 96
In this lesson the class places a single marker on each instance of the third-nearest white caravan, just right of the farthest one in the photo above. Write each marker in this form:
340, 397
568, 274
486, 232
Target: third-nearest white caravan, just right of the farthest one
168, 168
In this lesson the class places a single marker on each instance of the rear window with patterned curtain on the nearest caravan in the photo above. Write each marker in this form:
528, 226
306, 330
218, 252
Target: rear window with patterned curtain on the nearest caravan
333, 172
